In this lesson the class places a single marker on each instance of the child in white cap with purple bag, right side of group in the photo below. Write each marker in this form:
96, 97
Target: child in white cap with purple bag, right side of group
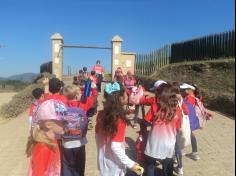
190, 100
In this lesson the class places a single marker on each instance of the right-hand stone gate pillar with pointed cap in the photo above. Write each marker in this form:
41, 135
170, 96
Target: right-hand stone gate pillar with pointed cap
116, 53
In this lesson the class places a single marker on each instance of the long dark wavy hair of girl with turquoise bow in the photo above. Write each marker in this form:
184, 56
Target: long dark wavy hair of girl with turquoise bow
113, 111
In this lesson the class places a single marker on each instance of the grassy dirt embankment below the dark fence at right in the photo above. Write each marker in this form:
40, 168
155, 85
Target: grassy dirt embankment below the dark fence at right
216, 80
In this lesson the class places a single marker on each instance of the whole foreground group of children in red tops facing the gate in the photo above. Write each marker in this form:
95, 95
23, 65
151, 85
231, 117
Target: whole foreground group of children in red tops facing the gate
50, 154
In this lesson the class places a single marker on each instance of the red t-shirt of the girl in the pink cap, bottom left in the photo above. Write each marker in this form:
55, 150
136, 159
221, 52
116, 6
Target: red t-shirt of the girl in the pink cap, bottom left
45, 161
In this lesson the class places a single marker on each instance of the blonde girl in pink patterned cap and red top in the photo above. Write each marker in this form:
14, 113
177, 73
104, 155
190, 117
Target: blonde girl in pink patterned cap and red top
42, 145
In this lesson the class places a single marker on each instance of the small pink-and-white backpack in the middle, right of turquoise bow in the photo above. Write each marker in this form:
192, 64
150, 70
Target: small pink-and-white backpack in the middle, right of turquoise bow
137, 94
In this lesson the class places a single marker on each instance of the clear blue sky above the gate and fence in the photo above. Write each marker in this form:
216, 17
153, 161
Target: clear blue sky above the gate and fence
27, 25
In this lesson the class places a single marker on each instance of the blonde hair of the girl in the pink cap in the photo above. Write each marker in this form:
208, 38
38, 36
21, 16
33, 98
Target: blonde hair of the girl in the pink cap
38, 135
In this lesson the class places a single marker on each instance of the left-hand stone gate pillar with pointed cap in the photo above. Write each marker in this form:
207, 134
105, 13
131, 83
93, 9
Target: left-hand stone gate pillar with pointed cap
57, 55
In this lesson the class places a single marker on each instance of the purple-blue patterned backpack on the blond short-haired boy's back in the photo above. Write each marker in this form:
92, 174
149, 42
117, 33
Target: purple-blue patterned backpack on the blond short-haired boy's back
77, 123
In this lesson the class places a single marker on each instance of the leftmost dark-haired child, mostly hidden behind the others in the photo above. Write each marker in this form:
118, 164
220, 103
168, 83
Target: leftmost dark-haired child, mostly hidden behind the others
38, 95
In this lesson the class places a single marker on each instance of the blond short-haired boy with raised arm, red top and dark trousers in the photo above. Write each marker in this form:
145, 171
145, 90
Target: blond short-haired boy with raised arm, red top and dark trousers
73, 150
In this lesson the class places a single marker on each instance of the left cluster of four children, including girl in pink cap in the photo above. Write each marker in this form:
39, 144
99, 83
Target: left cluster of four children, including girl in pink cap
49, 152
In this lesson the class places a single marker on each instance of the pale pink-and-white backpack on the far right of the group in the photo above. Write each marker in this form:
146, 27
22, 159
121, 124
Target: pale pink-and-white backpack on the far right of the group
201, 112
